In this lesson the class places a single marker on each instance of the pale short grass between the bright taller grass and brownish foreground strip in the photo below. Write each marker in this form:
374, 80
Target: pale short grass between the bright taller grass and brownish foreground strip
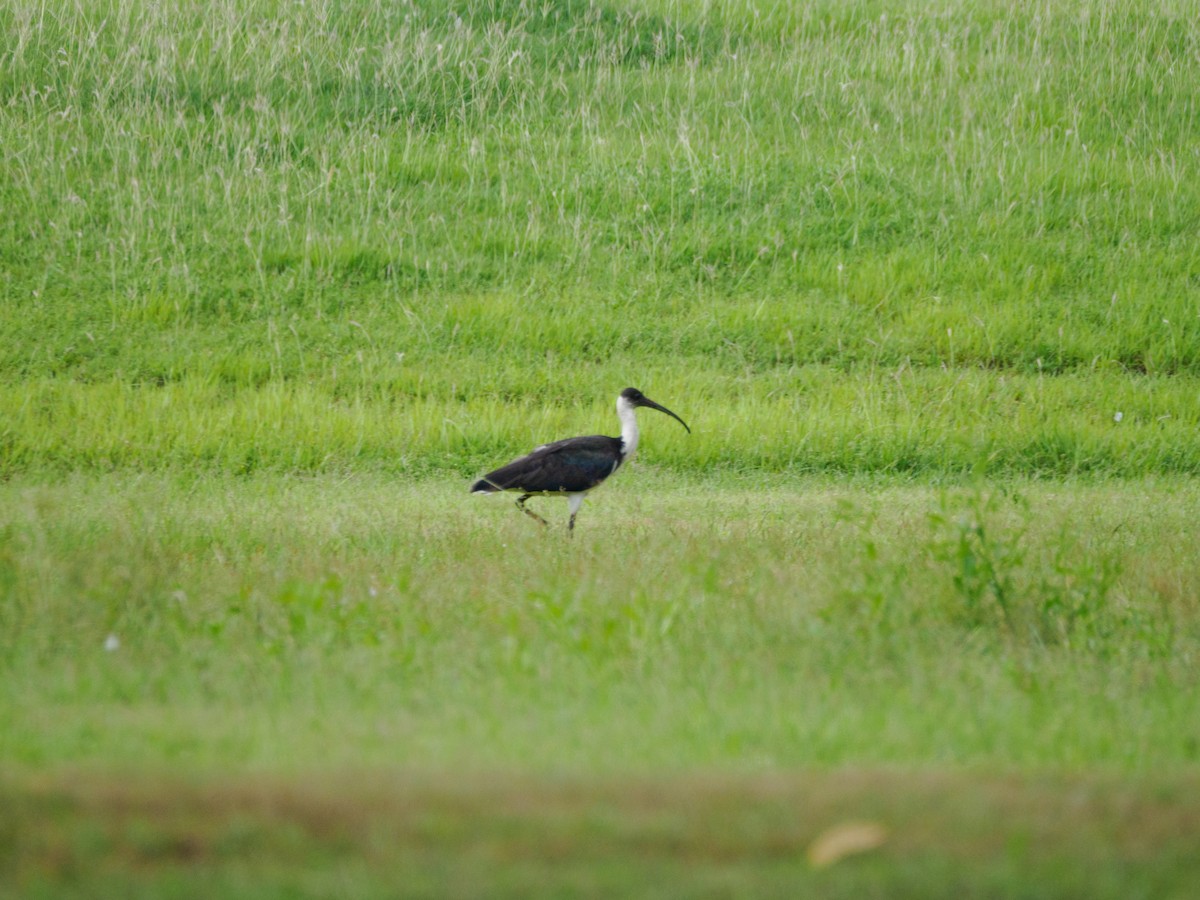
286, 625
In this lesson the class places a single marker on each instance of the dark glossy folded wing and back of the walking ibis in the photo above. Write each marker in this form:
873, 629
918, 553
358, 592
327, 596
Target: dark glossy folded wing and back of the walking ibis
572, 465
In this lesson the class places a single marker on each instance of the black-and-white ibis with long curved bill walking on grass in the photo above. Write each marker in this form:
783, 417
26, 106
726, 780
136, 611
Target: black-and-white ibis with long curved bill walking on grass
573, 466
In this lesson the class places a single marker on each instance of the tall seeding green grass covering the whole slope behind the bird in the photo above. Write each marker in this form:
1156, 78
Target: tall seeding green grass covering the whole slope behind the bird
412, 203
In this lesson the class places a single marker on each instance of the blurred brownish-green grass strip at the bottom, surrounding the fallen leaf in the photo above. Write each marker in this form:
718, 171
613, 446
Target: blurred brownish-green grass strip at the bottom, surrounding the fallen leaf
514, 835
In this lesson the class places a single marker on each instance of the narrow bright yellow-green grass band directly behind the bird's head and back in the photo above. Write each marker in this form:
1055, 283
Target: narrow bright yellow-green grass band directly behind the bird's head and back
413, 422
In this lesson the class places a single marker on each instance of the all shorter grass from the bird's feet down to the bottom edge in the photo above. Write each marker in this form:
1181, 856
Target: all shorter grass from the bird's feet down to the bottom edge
287, 685
